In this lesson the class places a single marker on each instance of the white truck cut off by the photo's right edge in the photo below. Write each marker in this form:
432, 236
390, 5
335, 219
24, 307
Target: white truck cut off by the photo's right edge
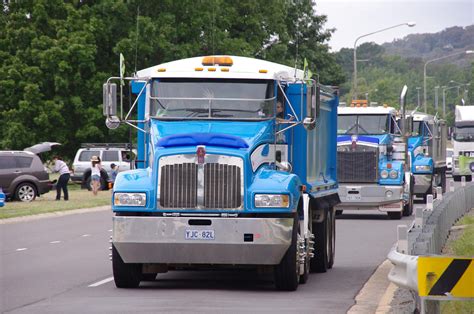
463, 143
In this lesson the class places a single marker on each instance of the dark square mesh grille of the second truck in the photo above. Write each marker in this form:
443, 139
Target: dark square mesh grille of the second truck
357, 166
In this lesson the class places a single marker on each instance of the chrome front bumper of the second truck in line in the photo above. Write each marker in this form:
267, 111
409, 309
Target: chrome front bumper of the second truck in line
368, 196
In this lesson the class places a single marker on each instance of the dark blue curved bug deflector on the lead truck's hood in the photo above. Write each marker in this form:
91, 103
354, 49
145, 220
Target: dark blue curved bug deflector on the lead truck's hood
194, 139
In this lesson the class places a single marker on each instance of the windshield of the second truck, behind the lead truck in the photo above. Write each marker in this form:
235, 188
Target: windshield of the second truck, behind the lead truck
362, 124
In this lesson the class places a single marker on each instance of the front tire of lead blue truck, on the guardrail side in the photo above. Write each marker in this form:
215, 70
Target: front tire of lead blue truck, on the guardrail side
287, 272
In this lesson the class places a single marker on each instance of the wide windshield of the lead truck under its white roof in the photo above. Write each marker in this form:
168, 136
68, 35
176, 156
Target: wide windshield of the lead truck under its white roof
212, 99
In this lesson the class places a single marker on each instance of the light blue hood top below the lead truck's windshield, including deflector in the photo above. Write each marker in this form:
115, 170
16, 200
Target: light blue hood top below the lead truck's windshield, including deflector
233, 134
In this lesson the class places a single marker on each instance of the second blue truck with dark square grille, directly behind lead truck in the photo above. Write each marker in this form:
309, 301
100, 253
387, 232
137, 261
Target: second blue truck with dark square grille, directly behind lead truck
371, 157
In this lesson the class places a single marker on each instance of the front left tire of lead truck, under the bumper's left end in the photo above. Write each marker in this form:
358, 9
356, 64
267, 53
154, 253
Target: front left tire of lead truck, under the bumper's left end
126, 275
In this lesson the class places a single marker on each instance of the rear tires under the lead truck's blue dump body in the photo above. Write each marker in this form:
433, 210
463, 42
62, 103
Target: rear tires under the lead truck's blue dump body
323, 246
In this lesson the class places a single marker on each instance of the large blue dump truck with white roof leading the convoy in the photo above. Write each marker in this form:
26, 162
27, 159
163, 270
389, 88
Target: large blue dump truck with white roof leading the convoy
225, 178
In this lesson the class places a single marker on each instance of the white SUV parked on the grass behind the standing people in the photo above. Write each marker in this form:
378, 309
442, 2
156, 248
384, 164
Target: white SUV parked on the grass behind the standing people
114, 153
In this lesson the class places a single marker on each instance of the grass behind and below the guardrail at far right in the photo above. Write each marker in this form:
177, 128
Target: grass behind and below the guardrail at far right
461, 245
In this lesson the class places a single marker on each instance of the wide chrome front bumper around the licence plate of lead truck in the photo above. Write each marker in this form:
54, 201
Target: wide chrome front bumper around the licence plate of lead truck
162, 240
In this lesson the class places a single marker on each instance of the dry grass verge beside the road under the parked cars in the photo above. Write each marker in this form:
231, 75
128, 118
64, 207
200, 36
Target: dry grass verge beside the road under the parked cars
46, 203
